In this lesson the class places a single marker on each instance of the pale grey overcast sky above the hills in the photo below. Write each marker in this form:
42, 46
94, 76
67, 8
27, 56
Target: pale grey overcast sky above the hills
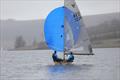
37, 9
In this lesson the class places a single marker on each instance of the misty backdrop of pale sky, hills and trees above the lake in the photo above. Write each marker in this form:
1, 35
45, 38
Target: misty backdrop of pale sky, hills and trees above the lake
23, 21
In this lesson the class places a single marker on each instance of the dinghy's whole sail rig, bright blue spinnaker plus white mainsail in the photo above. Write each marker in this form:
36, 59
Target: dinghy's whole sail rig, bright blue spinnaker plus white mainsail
65, 32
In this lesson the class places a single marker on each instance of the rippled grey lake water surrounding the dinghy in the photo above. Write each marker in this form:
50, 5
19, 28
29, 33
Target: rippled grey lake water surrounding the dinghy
38, 65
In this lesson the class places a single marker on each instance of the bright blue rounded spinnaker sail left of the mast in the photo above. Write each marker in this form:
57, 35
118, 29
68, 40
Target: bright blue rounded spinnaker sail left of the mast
54, 29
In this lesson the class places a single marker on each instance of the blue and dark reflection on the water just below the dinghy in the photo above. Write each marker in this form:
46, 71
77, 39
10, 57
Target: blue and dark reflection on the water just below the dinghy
68, 68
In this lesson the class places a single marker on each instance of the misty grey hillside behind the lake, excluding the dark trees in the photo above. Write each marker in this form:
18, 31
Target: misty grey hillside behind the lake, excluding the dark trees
100, 28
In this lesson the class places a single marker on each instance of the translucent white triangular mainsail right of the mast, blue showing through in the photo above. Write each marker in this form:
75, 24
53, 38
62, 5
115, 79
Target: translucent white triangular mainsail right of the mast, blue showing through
74, 26
